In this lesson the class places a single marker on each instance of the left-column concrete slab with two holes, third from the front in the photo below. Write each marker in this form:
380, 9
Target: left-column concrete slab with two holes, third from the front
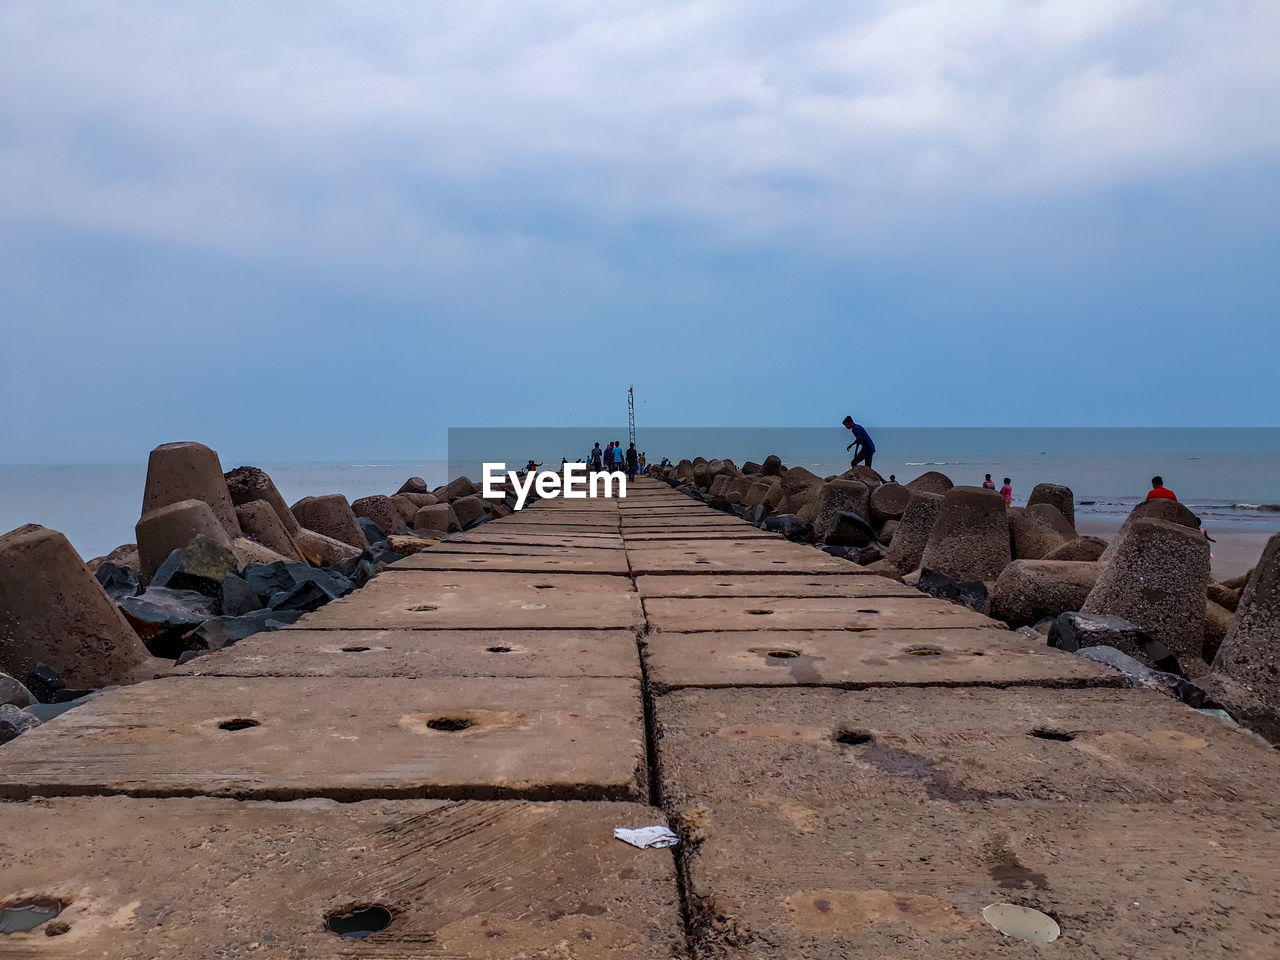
426, 653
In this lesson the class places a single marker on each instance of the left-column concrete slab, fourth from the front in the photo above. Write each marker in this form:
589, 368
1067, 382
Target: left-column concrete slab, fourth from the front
469, 601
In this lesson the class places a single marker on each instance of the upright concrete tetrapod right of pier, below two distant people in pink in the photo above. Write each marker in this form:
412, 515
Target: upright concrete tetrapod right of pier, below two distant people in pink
971, 537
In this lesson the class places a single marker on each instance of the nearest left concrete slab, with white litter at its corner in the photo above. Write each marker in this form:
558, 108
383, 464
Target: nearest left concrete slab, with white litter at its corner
179, 880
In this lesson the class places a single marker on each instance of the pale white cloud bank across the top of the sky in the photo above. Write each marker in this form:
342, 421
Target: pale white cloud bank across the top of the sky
394, 136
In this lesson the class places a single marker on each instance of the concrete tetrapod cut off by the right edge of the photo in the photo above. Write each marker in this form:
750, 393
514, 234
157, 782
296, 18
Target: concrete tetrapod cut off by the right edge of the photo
1246, 678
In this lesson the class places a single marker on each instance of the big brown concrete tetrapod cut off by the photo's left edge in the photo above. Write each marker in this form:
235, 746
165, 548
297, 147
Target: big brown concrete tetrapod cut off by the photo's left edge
53, 611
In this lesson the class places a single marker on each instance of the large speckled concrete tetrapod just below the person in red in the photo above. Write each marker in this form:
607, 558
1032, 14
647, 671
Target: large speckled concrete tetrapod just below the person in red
1158, 579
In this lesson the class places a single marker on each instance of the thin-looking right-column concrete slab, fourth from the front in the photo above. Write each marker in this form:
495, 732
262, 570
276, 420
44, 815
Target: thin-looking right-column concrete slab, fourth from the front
785, 614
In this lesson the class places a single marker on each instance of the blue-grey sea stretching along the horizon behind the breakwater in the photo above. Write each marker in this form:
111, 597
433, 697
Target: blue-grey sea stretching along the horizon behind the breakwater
1231, 477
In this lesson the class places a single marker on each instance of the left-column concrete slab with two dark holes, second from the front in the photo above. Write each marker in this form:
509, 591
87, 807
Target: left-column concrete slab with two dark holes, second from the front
286, 739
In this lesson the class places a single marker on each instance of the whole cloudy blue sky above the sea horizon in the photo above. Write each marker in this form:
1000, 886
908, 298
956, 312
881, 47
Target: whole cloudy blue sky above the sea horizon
321, 231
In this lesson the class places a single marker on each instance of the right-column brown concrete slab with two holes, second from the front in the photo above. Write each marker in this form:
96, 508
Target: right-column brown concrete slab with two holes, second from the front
962, 746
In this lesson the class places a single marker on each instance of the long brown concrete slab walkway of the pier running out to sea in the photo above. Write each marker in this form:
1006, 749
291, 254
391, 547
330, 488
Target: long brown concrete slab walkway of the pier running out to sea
856, 770
